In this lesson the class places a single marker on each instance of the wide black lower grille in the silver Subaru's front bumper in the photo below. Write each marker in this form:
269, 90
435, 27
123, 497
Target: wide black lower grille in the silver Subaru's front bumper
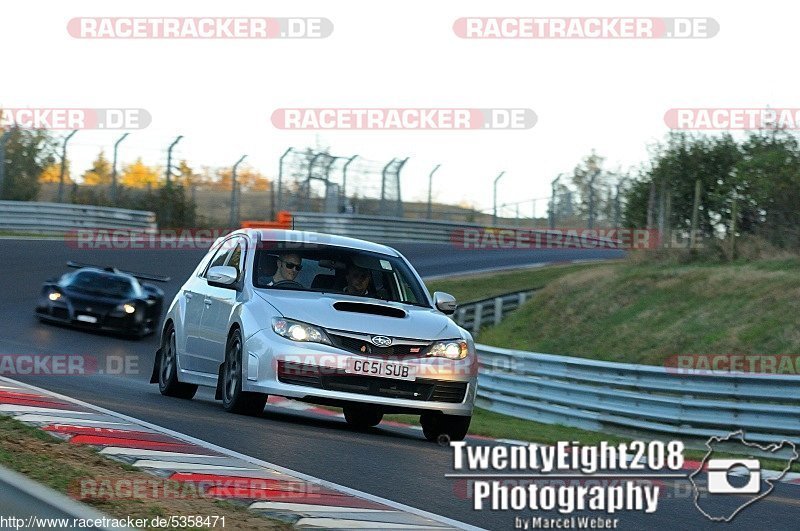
338, 380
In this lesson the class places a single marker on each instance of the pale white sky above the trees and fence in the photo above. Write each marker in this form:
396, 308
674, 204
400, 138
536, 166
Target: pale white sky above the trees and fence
607, 95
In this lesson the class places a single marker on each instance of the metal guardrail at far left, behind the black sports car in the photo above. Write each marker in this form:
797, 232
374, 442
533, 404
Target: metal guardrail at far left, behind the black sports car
60, 218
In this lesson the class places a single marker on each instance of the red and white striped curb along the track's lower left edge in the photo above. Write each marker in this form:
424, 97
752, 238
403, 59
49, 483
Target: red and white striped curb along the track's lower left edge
305, 501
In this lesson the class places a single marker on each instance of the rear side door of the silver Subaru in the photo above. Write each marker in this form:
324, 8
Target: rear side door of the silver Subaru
195, 294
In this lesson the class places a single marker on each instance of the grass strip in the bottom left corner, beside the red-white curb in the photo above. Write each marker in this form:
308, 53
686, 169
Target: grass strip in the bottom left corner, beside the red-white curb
62, 466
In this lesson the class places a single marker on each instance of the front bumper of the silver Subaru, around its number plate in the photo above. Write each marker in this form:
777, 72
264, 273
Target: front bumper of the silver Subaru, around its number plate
315, 373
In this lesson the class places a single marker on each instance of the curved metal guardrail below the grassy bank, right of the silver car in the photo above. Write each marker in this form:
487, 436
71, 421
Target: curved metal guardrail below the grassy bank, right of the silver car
621, 397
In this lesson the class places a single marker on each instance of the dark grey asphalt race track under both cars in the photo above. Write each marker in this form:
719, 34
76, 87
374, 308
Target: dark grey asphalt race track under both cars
394, 463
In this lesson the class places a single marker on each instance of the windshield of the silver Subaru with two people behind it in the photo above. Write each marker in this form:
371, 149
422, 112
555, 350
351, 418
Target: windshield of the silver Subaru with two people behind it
337, 270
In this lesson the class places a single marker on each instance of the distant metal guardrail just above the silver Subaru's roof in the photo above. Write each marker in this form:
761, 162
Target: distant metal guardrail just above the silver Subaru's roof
401, 230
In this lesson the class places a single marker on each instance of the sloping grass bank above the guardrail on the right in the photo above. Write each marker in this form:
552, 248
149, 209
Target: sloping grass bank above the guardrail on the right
646, 312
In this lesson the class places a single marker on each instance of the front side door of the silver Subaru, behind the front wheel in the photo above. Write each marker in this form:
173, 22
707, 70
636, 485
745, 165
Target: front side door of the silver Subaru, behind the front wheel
218, 305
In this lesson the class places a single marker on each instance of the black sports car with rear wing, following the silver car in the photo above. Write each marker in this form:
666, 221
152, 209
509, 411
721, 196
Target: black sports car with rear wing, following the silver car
103, 299
